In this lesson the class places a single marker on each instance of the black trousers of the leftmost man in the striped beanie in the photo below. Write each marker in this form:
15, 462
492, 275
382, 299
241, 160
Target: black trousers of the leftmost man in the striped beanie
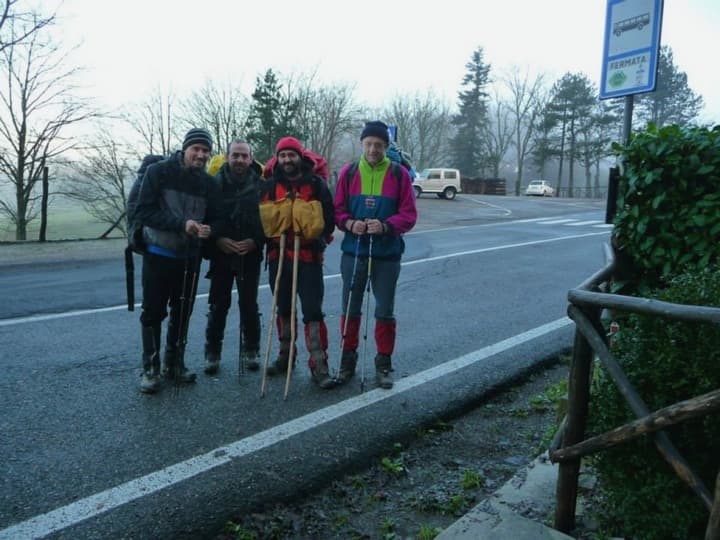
169, 283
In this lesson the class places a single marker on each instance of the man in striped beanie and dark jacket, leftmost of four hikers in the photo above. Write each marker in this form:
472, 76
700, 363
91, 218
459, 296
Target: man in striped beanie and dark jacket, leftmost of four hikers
178, 205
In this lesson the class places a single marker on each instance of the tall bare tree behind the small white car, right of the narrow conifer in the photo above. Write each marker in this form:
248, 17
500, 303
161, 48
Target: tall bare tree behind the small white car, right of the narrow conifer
528, 96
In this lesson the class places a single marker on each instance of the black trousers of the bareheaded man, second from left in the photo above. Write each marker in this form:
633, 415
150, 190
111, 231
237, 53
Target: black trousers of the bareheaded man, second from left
244, 271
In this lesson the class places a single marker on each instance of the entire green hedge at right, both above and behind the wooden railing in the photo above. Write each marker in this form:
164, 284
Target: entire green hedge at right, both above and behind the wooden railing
667, 239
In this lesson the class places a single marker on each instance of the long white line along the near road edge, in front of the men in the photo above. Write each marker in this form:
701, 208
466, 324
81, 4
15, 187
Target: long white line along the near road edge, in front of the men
94, 505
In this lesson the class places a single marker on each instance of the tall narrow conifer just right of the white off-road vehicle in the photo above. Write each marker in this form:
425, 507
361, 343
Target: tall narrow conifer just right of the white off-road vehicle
467, 146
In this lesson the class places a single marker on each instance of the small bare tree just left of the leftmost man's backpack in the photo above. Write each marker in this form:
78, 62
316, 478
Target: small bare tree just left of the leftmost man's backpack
101, 178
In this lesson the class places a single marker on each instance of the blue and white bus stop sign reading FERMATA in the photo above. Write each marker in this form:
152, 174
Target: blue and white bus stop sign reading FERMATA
631, 48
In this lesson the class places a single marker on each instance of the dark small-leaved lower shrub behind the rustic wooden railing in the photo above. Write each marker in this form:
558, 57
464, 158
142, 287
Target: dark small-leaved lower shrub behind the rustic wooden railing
666, 361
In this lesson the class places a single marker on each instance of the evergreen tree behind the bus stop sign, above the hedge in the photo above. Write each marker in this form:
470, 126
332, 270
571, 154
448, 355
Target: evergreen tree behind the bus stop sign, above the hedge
673, 101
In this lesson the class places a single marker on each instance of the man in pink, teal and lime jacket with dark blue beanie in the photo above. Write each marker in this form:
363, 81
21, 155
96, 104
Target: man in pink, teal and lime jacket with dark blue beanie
375, 206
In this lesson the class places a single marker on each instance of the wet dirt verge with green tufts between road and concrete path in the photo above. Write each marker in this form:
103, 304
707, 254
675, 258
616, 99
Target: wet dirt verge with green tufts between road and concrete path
416, 490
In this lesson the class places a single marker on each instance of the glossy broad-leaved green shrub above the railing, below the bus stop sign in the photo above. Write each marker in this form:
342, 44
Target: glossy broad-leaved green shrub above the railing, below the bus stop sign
668, 217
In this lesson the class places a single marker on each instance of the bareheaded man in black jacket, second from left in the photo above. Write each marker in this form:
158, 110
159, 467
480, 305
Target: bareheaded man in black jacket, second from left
236, 256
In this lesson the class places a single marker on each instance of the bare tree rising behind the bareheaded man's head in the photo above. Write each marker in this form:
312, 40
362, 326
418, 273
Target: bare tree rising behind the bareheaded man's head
222, 110
